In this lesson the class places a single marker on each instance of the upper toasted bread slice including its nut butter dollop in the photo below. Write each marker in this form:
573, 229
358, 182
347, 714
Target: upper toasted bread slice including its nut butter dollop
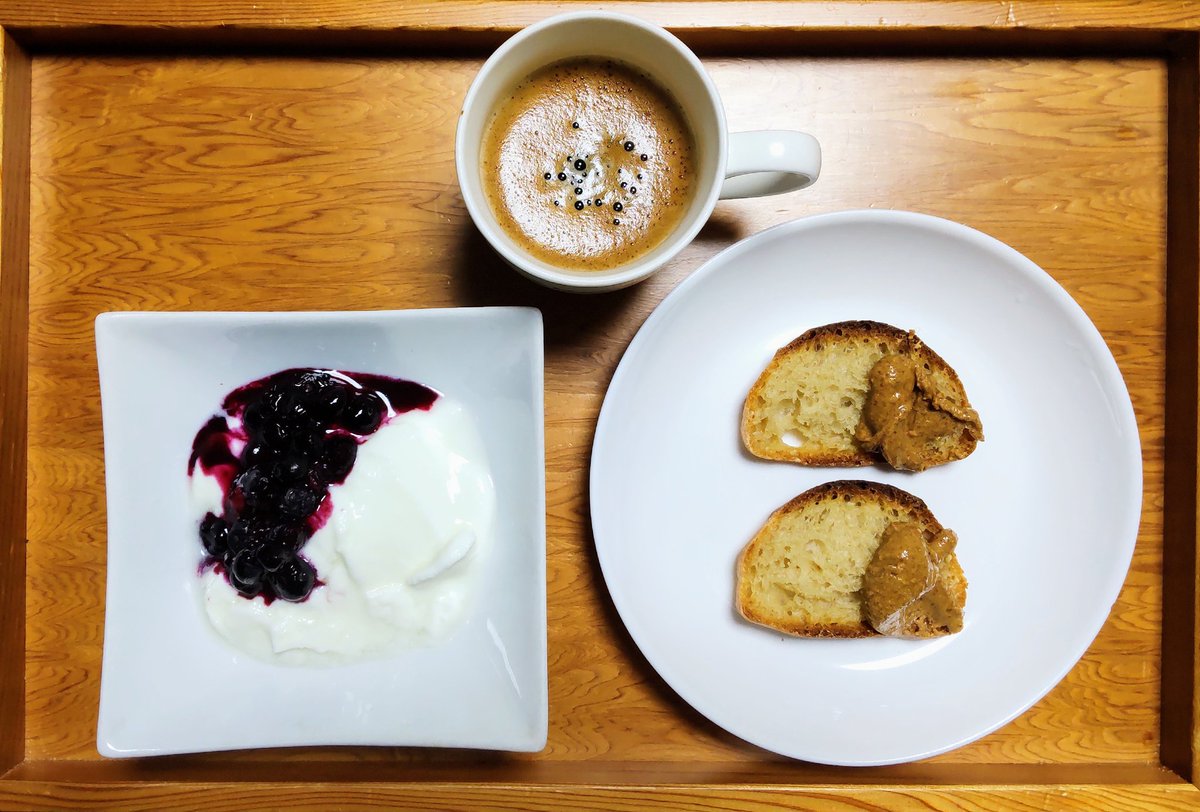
854, 393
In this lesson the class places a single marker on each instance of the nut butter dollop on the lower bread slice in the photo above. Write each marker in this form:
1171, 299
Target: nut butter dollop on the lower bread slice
903, 588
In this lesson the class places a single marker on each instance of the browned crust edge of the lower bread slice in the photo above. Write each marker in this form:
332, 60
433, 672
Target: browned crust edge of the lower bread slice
903, 501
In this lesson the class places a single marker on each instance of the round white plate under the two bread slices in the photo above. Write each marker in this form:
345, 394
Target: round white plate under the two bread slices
1047, 509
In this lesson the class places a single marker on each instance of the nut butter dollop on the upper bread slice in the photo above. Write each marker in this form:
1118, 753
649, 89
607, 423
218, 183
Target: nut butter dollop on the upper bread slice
909, 420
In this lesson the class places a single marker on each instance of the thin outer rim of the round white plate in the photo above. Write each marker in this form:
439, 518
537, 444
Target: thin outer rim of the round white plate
947, 228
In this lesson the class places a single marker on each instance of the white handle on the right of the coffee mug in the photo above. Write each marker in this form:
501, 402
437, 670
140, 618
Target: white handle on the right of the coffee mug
770, 163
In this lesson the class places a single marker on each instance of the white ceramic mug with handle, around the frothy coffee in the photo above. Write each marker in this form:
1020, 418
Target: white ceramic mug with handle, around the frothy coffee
729, 165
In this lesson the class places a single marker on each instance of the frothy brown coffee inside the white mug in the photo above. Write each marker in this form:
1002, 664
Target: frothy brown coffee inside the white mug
589, 165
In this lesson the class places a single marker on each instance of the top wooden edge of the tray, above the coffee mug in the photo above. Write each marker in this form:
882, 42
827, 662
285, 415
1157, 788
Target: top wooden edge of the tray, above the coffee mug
46, 16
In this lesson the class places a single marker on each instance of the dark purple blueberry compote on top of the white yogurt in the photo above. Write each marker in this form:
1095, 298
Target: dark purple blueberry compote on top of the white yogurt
281, 443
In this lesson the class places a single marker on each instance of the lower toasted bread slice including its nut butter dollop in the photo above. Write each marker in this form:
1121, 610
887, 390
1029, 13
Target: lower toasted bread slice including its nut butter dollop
853, 560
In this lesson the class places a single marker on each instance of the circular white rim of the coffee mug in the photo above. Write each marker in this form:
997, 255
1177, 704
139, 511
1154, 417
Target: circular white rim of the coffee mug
682, 237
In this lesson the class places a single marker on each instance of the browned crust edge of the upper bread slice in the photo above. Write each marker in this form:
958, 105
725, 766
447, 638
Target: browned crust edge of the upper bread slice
898, 342
